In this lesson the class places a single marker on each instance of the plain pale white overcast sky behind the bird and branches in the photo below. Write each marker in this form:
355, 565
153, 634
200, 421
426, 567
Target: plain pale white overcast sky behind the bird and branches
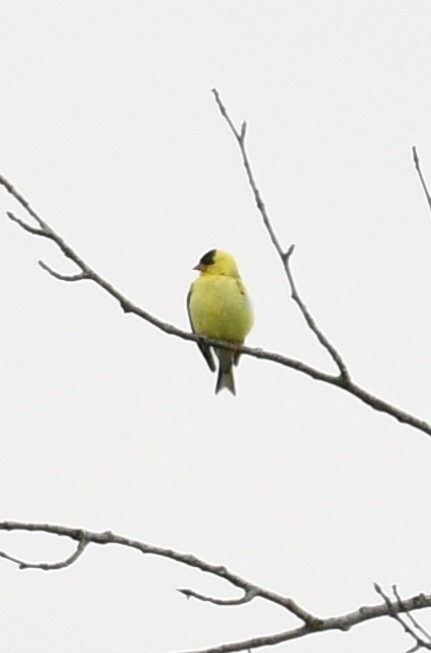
108, 127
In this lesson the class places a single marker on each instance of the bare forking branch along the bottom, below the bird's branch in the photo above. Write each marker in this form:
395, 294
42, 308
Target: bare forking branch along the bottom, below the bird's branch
311, 623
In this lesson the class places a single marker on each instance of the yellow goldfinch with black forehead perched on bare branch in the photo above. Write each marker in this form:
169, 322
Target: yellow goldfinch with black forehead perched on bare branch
219, 308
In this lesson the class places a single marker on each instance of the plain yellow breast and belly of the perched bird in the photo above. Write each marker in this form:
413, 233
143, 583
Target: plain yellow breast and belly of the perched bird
219, 308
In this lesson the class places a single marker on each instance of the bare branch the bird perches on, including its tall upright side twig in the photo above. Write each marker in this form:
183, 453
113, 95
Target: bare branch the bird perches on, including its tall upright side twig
341, 380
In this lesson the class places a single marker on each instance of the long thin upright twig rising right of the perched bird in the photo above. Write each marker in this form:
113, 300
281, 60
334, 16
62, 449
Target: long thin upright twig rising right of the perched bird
284, 256
